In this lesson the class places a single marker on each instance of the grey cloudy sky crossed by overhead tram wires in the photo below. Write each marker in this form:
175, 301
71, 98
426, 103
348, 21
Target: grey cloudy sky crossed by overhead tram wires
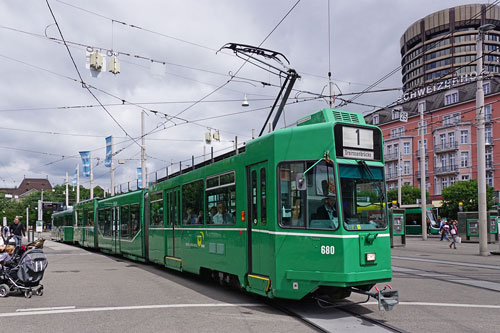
47, 117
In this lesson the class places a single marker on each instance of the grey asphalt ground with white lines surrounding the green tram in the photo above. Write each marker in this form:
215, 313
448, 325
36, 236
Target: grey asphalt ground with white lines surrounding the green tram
440, 289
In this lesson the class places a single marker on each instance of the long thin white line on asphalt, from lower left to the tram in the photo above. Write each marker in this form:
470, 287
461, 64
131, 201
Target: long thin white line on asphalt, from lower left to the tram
122, 308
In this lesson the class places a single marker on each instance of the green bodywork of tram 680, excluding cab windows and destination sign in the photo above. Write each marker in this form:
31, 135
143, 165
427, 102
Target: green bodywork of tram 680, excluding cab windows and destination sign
284, 262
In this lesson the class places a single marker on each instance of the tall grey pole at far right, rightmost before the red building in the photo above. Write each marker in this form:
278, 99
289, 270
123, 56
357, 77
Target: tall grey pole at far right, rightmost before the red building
481, 155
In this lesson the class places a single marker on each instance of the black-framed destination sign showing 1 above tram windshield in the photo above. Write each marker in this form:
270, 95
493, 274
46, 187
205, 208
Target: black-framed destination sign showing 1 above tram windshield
360, 143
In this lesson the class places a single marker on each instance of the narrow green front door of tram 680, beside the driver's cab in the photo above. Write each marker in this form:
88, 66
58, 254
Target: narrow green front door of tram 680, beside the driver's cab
259, 246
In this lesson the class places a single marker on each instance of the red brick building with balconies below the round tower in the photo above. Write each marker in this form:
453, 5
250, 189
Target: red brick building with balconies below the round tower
449, 136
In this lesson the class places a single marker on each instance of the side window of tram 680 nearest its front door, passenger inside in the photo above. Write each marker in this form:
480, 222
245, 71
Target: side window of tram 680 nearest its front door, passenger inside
221, 199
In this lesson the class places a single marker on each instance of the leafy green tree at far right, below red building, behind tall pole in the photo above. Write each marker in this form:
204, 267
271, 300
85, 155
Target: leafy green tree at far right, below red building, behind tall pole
465, 192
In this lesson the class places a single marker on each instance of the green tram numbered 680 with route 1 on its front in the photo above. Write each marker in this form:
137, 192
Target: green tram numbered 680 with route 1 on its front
286, 216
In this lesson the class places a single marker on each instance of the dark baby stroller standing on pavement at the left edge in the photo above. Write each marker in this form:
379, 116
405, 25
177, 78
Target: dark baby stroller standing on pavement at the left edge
24, 270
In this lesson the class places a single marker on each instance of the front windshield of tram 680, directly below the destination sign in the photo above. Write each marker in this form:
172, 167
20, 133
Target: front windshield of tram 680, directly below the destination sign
363, 197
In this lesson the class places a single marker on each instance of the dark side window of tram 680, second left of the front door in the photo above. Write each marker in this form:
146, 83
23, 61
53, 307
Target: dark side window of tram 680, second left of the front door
192, 203
